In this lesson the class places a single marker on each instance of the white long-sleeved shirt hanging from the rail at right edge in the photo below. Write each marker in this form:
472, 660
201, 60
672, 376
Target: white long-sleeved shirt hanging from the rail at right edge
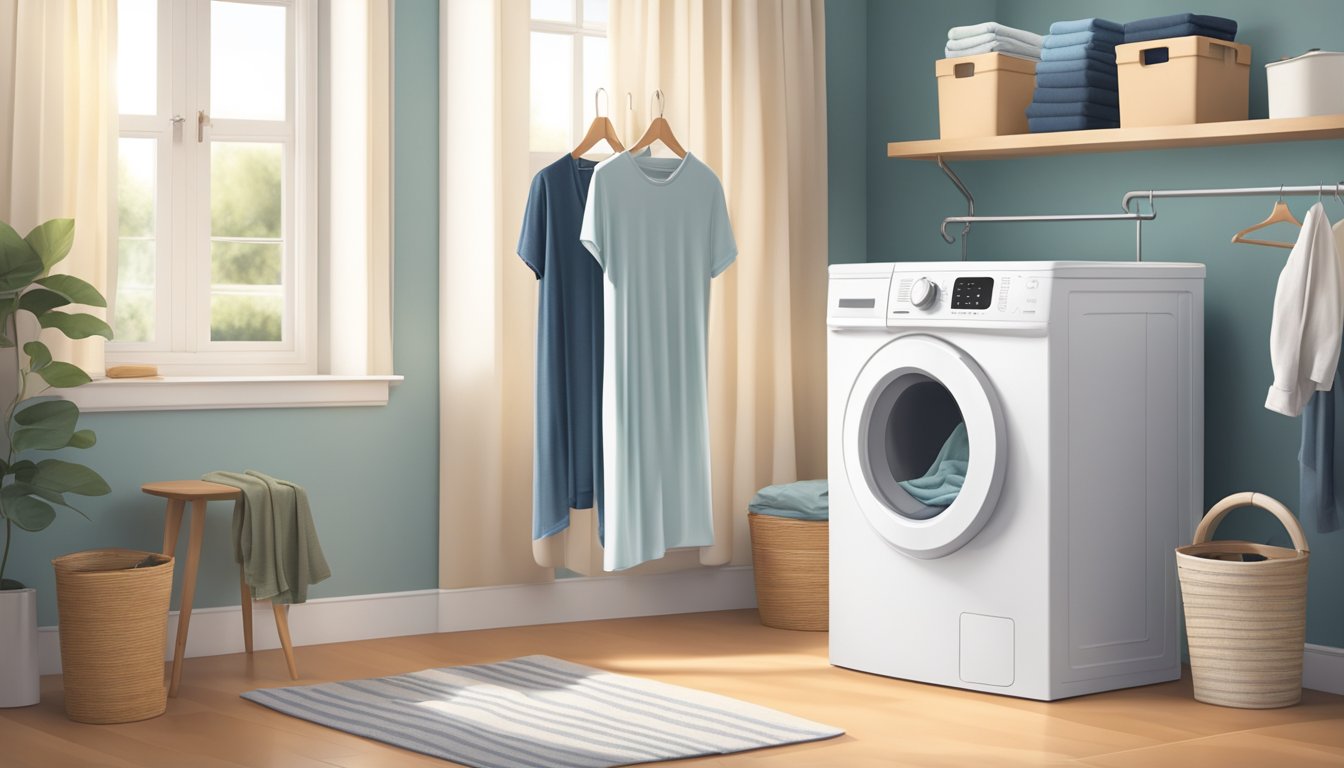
1308, 322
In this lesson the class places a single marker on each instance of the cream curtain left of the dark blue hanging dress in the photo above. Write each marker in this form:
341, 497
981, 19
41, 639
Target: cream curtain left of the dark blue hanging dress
487, 299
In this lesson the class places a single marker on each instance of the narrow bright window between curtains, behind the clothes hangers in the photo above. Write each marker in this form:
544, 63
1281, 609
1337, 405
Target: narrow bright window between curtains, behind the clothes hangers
569, 63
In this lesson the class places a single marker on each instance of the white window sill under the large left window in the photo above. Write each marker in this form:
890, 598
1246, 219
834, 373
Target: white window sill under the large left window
218, 393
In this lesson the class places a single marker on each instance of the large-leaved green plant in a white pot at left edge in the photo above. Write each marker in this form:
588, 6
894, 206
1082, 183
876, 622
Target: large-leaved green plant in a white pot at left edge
33, 488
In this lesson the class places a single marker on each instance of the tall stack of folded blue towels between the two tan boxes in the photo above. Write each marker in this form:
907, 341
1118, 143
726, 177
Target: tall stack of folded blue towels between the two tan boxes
1076, 80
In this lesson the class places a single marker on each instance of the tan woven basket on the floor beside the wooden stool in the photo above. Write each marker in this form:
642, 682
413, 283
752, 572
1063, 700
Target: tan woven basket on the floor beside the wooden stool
114, 634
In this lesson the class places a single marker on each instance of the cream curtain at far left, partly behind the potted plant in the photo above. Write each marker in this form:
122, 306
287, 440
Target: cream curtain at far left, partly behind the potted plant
58, 135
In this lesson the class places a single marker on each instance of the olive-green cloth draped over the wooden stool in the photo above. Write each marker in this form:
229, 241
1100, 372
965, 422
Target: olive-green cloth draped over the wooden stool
275, 537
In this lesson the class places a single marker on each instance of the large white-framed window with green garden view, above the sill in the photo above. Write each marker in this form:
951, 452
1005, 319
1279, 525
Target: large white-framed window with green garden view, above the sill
216, 209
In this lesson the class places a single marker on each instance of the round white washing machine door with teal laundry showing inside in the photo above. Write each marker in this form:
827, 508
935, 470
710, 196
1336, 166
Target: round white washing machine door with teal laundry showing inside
905, 450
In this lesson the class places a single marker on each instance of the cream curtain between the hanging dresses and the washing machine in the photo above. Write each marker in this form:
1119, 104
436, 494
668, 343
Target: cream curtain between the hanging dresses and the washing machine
745, 89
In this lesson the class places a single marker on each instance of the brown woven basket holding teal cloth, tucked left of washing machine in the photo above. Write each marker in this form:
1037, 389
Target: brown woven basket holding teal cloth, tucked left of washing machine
792, 572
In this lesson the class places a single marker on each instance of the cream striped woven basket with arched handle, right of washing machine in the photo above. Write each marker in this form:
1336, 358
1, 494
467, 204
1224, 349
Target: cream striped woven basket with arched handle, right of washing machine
1247, 621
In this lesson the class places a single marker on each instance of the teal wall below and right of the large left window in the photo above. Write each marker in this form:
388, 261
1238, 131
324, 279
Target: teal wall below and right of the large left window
372, 473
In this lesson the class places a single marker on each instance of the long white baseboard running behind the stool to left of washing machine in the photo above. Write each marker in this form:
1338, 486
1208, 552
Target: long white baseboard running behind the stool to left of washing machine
216, 631
